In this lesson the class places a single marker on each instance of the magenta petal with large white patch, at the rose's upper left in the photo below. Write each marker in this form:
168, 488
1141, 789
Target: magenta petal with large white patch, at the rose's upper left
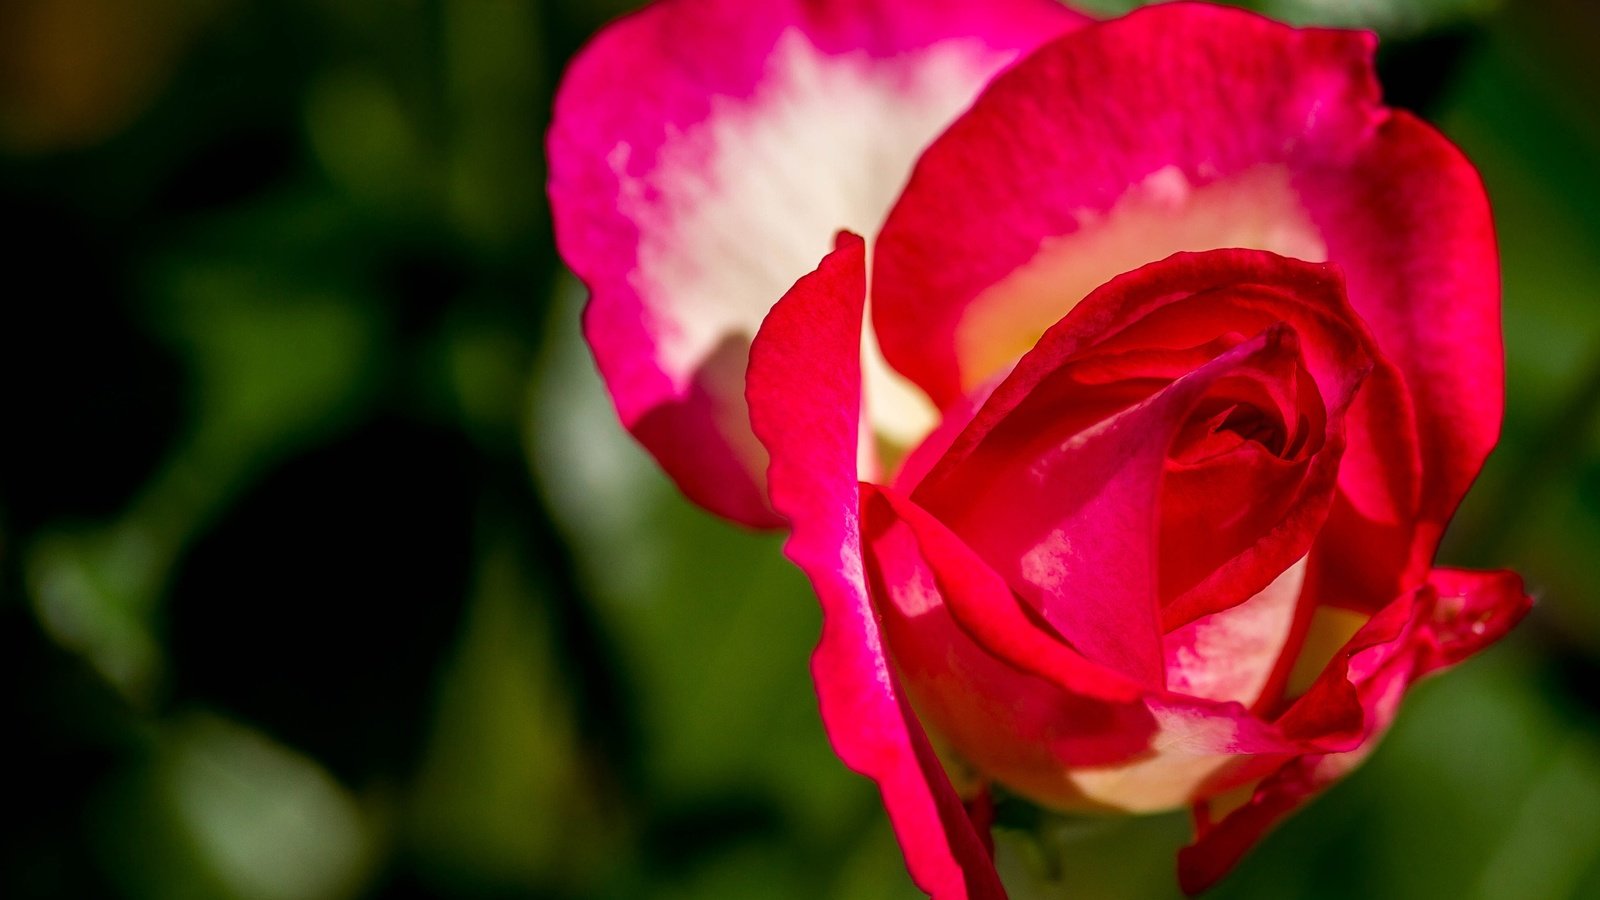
703, 156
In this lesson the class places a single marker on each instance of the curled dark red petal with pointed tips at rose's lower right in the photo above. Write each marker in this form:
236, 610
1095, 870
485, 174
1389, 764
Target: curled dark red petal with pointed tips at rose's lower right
1455, 616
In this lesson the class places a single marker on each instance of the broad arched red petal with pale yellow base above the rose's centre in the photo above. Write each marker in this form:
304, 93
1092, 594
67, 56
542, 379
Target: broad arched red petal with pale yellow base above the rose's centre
1177, 127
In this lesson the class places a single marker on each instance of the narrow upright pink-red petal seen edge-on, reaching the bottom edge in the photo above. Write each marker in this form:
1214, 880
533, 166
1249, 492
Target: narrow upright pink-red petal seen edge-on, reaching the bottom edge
806, 400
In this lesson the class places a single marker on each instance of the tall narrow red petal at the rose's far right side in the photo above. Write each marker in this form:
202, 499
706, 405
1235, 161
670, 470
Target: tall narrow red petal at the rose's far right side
1410, 225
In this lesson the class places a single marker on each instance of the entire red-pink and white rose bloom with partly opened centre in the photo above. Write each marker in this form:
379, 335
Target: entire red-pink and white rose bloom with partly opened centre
1193, 352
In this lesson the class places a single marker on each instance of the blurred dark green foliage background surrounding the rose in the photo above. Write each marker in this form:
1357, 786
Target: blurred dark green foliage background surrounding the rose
326, 571
